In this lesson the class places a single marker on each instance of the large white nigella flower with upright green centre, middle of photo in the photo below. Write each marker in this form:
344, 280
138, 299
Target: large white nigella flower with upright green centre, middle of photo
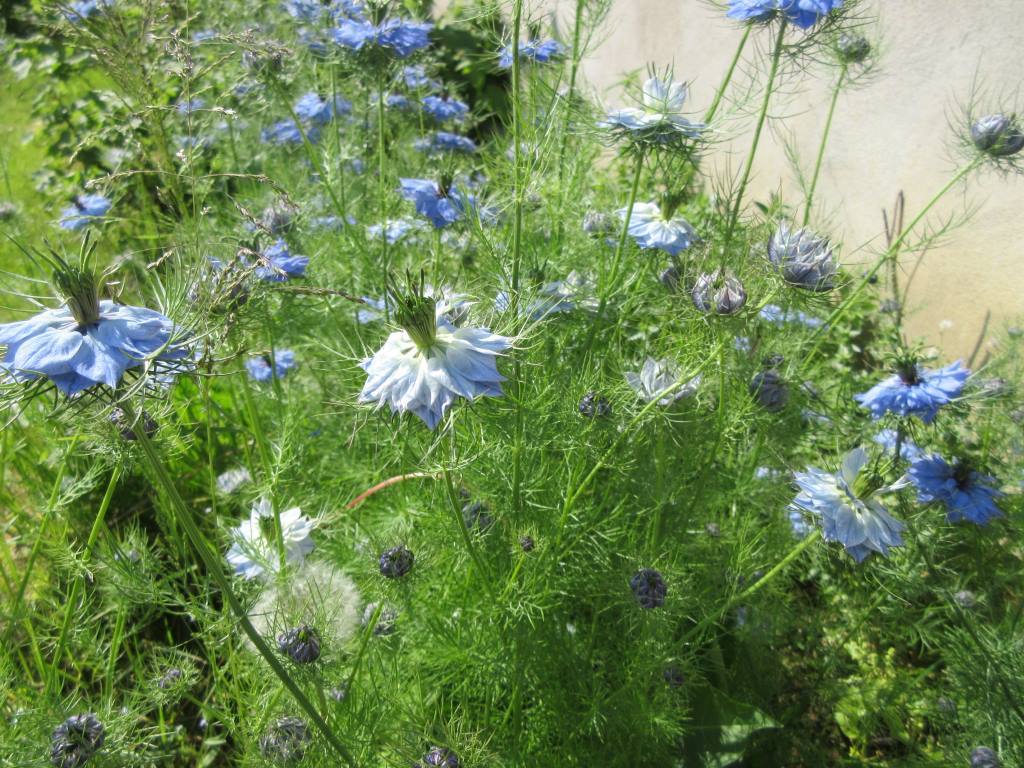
428, 365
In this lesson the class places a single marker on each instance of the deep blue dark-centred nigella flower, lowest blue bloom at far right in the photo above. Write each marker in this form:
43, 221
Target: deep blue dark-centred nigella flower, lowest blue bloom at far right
964, 492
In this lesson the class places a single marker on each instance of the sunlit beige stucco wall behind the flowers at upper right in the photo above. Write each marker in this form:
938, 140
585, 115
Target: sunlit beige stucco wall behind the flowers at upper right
889, 137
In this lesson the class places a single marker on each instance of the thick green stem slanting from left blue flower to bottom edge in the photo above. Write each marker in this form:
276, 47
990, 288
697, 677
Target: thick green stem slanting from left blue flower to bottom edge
215, 567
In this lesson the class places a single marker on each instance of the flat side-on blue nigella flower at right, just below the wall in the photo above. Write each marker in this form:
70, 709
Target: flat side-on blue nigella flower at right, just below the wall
915, 392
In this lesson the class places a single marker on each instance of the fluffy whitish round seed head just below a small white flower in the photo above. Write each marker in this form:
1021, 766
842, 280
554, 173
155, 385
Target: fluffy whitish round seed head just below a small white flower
315, 594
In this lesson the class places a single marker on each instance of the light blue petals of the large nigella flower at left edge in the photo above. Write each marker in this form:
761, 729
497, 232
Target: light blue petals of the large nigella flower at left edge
78, 356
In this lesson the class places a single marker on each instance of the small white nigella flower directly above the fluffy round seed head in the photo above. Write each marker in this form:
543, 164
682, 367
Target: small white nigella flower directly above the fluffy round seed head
255, 550
